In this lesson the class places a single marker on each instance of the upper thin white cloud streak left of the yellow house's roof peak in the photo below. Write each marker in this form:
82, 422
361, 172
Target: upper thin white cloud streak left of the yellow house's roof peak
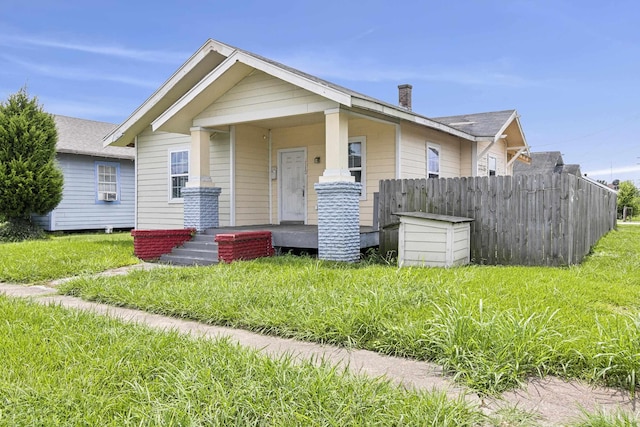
113, 51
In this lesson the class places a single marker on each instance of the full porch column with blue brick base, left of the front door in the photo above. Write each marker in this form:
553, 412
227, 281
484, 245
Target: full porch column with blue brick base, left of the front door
200, 195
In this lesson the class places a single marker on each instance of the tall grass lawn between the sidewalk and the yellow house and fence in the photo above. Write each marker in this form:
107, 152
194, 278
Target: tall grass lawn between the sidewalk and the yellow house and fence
490, 326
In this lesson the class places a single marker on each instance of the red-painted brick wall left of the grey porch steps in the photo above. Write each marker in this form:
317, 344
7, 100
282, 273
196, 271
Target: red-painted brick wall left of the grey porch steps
150, 244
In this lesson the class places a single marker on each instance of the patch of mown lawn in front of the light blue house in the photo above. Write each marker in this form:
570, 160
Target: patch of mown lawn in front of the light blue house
64, 256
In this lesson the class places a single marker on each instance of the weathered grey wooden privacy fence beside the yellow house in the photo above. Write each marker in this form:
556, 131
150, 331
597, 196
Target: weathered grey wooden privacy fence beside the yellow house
550, 219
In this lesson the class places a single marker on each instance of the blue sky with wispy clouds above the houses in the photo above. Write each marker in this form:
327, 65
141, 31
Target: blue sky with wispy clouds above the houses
570, 68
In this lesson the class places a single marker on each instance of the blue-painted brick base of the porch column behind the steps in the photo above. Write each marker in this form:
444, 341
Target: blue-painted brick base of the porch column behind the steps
201, 209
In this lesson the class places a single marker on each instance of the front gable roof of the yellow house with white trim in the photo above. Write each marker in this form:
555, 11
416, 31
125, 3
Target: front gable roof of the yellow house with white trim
182, 94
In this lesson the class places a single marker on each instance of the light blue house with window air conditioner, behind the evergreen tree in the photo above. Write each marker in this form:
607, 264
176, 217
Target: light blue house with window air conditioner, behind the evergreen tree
98, 181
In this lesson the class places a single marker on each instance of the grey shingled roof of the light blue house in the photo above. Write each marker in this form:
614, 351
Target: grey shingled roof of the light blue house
80, 136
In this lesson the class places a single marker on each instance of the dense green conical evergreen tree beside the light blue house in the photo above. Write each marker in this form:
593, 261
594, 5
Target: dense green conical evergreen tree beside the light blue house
30, 180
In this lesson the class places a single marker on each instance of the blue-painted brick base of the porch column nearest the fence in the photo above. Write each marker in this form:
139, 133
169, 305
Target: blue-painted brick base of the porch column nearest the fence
338, 220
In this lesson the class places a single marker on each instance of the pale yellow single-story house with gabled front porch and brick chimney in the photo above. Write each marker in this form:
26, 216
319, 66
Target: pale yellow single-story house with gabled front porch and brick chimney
233, 138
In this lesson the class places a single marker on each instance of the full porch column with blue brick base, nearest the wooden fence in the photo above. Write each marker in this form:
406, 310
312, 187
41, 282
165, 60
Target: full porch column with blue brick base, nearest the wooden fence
338, 195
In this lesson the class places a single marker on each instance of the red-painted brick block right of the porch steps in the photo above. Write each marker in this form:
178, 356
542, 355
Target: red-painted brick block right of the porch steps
245, 245
